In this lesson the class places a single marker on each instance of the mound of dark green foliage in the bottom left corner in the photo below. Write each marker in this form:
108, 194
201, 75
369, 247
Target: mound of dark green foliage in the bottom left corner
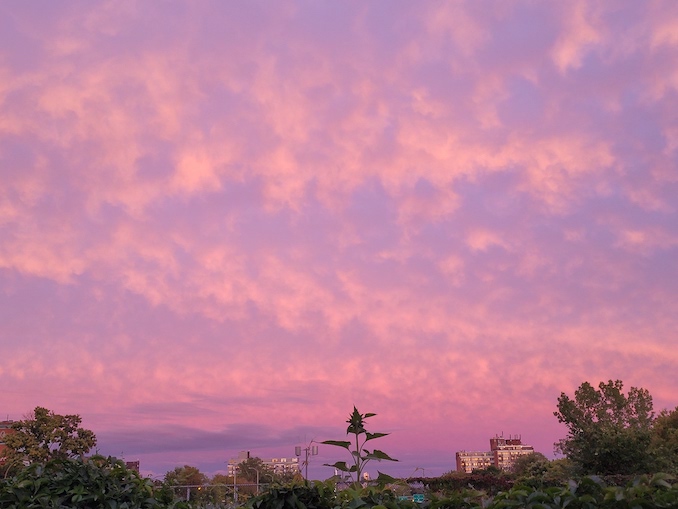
96, 483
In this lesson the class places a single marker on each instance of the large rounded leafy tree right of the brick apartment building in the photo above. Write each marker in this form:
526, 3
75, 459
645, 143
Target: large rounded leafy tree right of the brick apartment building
608, 432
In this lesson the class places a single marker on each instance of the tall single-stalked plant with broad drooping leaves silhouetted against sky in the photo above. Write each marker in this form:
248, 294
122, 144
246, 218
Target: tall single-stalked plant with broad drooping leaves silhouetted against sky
359, 455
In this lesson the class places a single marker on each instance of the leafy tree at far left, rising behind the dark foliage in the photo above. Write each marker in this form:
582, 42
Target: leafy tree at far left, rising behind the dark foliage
45, 436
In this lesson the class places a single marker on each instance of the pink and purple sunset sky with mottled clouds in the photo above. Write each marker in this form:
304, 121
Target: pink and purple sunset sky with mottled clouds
224, 224
